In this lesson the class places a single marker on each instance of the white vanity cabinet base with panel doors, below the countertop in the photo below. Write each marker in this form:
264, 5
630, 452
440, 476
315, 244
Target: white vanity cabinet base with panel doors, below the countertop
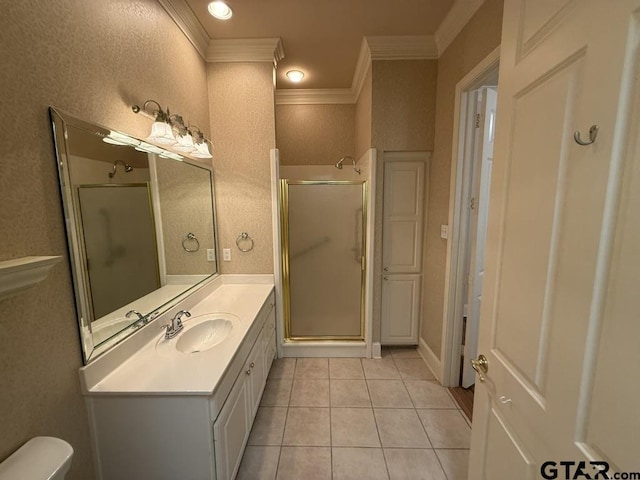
186, 435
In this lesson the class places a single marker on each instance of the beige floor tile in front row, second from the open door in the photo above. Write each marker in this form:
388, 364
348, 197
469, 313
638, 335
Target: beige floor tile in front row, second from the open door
413, 464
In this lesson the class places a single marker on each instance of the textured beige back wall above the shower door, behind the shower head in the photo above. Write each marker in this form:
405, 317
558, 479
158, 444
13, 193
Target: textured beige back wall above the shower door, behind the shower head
315, 134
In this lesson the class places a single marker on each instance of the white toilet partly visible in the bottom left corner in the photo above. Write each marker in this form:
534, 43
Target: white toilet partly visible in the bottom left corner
41, 458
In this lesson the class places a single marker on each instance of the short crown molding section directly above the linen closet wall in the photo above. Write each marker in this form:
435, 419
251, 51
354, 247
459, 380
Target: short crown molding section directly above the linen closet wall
402, 47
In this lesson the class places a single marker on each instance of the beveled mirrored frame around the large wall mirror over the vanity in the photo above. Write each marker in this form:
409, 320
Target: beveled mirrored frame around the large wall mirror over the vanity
60, 122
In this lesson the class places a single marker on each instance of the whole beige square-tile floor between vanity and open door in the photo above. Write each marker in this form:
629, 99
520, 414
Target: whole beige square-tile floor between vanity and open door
356, 419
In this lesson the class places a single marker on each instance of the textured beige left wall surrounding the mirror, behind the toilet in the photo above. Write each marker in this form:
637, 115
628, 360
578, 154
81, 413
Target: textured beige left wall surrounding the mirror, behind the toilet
91, 59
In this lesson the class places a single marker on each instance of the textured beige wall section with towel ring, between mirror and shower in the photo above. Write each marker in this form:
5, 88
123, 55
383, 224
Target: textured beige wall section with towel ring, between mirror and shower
242, 108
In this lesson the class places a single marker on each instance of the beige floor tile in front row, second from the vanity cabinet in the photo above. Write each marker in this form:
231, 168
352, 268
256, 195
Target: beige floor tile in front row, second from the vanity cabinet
305, 463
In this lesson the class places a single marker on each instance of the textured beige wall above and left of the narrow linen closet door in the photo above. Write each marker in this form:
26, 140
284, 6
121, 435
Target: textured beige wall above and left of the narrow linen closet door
403, 118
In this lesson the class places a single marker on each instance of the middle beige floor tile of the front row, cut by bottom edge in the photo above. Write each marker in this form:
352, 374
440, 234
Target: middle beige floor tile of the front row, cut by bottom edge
359, 464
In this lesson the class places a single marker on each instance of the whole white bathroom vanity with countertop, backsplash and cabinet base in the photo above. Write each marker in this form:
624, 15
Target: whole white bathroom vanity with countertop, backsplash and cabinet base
160, 413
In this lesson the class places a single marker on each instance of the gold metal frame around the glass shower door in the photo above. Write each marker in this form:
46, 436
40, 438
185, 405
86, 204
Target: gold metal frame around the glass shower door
286, 290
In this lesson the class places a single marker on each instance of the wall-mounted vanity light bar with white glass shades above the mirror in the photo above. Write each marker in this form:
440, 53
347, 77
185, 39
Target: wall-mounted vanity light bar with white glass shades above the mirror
169, 131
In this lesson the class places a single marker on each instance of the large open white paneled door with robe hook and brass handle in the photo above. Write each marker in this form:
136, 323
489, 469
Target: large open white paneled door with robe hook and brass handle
559, 323
